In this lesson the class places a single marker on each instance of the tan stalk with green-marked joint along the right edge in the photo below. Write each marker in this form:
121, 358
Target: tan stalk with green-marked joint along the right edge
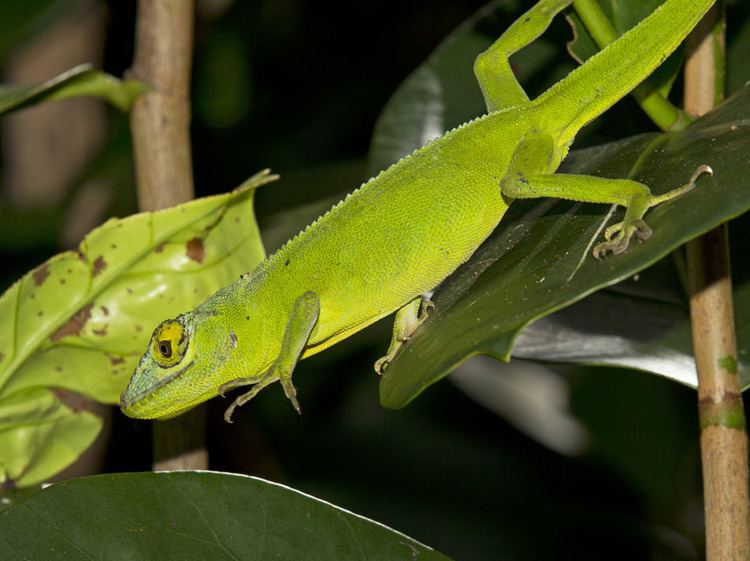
724, 445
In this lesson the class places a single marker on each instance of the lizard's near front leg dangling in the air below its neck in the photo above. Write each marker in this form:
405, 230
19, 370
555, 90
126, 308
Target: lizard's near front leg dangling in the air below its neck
302, 320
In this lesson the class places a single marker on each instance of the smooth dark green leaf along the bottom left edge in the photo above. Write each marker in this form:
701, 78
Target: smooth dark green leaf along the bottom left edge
198, 515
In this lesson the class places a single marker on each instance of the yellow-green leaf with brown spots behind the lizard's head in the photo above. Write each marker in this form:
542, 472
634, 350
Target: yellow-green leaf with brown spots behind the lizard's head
78, 323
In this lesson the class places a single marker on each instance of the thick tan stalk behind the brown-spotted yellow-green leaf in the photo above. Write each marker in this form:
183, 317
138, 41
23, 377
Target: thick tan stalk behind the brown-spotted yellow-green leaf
160, 124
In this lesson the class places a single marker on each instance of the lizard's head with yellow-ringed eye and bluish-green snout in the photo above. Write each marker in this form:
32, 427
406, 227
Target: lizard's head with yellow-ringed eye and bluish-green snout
172, 376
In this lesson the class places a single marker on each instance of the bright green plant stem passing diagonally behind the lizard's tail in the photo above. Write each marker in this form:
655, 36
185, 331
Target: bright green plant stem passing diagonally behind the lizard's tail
665, 115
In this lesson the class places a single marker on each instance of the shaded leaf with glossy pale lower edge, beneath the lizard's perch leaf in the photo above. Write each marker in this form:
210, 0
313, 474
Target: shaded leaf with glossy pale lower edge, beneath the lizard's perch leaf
652, 330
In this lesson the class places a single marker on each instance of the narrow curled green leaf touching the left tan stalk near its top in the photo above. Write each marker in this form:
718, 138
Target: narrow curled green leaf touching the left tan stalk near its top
79, 81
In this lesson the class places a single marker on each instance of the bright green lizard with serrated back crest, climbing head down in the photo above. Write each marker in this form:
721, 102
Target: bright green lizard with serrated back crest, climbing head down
392, 241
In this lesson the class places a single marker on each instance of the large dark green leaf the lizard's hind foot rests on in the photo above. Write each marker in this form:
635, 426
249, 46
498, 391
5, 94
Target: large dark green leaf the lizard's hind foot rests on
539, 259
